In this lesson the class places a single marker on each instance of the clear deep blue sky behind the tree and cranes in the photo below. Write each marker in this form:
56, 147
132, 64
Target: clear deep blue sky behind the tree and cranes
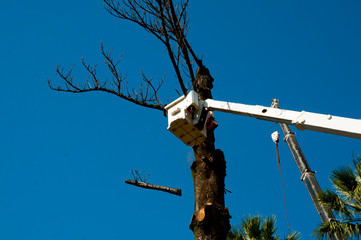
64, 157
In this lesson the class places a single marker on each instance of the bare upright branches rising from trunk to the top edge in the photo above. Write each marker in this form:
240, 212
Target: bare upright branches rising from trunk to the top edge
168, 22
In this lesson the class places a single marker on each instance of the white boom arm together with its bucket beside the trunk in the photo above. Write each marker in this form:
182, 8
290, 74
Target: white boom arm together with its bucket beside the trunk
188, 118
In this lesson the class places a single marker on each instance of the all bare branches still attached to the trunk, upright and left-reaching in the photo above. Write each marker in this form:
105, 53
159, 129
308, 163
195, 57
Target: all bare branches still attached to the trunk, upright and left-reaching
168, 21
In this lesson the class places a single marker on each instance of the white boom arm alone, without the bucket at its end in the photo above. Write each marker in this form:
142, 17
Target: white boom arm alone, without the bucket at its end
302, 120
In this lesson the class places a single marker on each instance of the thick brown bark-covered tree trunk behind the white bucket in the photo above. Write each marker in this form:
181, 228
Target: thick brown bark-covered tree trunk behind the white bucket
210, 220
